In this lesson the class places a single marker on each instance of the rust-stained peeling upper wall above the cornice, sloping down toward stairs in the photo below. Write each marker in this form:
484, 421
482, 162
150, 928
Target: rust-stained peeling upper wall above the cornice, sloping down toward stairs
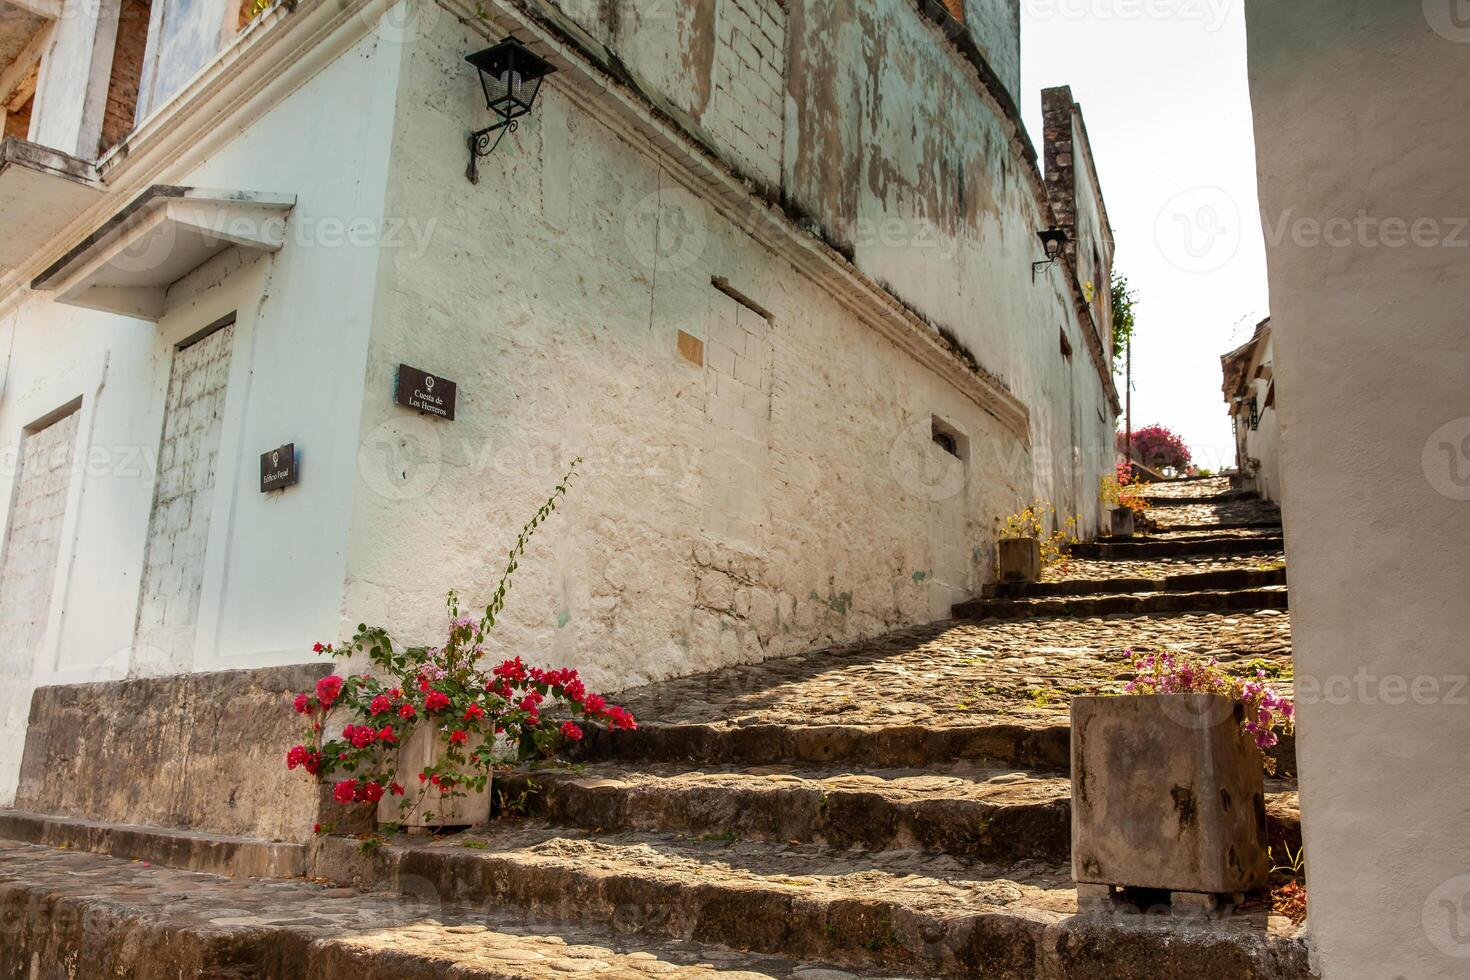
894, 149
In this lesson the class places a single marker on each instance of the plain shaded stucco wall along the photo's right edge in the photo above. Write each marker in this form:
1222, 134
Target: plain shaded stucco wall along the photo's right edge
1360, 123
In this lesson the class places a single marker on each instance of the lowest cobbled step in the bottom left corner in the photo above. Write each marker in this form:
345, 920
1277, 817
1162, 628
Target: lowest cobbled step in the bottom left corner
80, 916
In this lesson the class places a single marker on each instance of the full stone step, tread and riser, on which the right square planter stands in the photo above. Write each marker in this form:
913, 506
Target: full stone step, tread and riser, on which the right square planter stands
934, 916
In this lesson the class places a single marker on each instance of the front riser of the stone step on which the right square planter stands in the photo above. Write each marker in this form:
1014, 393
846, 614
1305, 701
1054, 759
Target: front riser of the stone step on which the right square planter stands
862, 934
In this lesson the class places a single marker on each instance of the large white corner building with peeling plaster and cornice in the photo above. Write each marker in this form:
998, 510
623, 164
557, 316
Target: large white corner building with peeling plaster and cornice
767, 267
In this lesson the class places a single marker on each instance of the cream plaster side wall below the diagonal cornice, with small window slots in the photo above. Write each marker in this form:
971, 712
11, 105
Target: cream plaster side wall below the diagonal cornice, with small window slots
780, 496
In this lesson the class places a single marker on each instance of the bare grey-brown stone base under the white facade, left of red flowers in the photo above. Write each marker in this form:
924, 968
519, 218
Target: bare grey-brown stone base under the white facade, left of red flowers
193, 752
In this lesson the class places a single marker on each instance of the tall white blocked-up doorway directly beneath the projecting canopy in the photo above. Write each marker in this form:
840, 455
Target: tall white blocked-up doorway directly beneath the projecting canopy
174, 569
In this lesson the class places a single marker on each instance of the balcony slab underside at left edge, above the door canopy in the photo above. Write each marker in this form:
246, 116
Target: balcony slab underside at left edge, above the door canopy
42, 190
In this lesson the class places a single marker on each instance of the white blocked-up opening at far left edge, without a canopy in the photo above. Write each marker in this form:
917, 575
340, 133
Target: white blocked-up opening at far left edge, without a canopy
29, 566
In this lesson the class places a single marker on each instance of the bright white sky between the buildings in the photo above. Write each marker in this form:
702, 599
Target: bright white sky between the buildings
1164, 89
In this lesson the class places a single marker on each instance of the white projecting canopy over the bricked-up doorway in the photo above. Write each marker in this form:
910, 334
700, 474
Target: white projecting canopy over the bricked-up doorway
129, 265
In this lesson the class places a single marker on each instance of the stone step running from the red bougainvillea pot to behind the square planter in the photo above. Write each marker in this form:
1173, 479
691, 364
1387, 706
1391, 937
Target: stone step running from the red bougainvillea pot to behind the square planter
964, 812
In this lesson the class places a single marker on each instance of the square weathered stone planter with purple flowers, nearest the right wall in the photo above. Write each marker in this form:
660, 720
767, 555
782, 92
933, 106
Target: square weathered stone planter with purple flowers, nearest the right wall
1168, 794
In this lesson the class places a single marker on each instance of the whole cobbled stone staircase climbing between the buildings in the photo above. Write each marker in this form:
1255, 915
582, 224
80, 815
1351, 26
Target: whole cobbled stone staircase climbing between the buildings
897, 807
